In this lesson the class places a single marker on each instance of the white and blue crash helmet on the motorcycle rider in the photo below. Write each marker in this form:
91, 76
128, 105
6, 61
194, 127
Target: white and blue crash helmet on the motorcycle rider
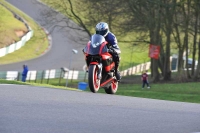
102, 28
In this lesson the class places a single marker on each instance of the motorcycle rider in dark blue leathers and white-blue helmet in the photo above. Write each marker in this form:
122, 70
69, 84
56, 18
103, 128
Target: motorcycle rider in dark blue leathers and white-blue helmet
103, 29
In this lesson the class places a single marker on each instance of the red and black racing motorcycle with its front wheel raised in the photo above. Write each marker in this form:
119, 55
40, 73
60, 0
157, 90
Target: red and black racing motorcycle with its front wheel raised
101, 66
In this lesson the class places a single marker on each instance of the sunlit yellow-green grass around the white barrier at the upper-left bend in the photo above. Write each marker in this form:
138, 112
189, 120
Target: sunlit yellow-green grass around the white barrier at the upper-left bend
33, 48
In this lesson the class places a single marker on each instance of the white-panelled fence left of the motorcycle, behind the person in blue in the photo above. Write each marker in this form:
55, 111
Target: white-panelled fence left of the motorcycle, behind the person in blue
57, 76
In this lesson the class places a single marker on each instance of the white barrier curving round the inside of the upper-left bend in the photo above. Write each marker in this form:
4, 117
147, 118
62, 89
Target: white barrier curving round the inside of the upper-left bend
15, 46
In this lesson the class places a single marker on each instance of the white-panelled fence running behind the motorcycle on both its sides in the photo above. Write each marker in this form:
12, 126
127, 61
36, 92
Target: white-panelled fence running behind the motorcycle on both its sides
59, 76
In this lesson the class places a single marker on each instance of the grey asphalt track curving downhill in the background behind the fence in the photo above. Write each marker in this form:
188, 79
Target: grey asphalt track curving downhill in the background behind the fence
63, 41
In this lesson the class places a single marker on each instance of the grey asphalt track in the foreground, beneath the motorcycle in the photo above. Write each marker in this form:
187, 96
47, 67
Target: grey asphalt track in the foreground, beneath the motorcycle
28, 109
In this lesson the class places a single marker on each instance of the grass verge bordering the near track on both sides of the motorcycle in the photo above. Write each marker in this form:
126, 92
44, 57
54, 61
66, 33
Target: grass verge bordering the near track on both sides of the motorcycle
183, 92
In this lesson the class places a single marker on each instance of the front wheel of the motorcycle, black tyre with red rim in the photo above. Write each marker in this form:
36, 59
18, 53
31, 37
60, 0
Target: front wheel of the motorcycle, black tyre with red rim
94, 82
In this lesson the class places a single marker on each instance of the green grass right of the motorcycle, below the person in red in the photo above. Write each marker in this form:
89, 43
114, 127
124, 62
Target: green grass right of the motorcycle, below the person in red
185, 92
